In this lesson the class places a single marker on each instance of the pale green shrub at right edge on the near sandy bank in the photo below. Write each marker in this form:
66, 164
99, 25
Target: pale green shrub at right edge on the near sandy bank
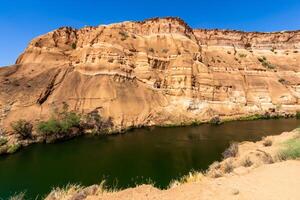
291, 149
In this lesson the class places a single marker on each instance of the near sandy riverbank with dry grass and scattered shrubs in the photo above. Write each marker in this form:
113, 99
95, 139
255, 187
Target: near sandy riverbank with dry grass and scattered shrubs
250, 170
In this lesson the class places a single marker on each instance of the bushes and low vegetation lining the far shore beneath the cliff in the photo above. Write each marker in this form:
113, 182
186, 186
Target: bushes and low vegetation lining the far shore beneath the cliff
64, 125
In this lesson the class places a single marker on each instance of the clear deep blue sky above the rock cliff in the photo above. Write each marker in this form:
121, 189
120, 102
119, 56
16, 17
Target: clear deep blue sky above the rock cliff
21, 21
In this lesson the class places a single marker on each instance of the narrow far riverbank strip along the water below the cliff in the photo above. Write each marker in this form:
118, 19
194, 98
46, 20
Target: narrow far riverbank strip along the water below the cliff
11, 142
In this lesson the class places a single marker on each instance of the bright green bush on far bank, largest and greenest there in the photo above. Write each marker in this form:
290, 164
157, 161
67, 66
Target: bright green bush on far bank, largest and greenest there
59, 126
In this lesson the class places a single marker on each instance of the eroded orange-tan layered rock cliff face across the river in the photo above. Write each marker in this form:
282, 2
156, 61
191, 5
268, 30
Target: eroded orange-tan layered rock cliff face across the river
158, 71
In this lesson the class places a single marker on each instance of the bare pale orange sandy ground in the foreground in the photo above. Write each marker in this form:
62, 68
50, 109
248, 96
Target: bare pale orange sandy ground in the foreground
269, 182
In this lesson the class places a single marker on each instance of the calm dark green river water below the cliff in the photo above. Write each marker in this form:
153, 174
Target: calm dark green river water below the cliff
159, 154
